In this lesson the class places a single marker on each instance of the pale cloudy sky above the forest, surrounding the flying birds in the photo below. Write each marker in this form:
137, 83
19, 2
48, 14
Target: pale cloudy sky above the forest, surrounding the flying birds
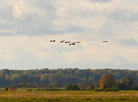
27, 26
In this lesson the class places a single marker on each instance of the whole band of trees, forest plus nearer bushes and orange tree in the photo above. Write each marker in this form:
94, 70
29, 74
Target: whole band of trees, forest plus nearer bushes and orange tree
84, 78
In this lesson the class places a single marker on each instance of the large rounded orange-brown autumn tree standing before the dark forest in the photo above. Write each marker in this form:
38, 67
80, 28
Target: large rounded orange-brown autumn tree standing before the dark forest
107, 81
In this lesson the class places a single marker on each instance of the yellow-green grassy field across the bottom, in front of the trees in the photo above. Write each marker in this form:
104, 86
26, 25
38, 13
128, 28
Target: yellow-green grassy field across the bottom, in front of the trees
68, 96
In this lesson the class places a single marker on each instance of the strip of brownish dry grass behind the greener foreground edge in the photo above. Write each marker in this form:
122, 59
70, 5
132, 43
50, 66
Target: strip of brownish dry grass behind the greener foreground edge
51, 94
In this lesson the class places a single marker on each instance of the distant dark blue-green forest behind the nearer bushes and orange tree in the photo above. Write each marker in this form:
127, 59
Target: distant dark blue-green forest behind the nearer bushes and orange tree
61, 76
